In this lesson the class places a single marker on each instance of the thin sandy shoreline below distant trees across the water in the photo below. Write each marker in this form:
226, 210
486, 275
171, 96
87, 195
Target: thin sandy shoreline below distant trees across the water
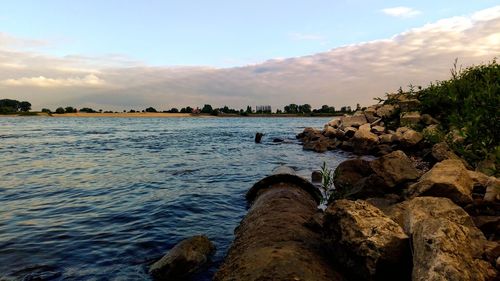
156, 115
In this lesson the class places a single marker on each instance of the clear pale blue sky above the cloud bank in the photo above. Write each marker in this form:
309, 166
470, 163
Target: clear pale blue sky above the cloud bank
214, 33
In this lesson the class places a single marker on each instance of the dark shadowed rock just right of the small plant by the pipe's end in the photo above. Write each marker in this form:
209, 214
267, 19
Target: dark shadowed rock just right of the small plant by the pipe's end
349, 172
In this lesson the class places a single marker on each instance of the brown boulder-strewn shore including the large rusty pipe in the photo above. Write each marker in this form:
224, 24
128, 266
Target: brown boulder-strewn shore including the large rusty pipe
417, 211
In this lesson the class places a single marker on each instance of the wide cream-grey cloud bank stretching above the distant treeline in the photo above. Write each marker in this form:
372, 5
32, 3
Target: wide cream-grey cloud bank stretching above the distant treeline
342, 76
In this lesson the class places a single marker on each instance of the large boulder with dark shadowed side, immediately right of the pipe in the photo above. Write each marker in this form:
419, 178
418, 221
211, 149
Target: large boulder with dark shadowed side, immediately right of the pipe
366, 242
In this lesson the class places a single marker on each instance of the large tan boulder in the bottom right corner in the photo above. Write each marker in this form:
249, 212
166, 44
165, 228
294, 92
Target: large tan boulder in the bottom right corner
444, 250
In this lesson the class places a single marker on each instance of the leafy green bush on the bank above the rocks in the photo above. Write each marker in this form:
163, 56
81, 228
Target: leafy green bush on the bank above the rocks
469, 103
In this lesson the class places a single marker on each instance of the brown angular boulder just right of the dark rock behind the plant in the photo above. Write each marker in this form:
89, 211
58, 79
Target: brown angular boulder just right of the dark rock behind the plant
395, 168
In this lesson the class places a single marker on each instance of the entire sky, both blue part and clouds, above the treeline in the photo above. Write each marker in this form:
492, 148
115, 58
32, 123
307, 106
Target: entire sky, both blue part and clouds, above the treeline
134, 53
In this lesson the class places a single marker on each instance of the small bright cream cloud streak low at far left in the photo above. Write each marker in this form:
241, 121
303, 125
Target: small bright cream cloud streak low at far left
41, 81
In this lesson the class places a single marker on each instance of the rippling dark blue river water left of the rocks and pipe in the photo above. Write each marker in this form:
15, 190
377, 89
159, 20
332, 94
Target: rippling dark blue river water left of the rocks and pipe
100, 198
